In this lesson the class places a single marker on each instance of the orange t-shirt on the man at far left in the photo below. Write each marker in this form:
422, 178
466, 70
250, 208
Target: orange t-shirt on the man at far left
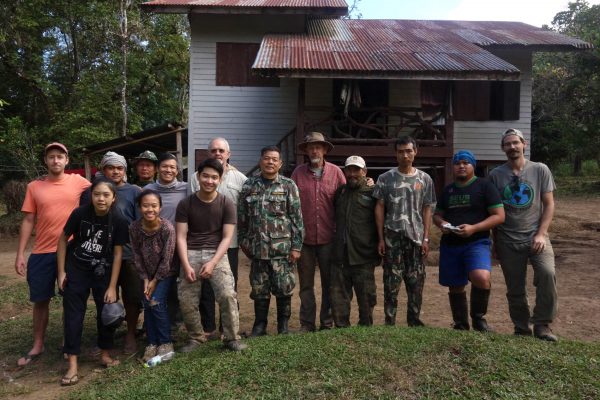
52, 202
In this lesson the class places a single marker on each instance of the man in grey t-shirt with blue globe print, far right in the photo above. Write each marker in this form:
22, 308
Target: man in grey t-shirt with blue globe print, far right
526, 189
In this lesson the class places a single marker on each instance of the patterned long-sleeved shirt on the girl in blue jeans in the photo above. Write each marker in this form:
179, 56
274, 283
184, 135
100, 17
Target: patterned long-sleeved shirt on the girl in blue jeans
153, 251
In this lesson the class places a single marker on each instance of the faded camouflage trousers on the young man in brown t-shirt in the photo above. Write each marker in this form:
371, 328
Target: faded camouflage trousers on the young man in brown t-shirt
222, 283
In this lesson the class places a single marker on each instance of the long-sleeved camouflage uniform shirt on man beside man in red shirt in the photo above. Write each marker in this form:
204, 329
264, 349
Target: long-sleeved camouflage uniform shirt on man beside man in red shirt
269, 218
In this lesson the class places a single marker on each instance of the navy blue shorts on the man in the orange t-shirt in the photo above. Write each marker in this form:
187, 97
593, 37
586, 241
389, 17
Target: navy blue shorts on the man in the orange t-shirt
41, 276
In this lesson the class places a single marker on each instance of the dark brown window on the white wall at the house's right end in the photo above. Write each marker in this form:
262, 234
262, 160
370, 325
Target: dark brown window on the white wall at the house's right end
486, 100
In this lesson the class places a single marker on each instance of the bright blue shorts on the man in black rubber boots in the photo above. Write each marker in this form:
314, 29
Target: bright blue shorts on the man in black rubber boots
457, 261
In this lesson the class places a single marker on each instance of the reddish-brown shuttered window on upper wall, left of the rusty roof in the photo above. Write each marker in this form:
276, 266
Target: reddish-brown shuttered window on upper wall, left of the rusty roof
234, 63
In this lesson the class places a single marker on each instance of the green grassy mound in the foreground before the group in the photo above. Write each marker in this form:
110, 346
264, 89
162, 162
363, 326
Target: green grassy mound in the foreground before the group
379, 362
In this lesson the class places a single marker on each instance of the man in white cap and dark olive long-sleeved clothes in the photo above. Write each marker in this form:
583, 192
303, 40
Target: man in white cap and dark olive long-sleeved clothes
354, 247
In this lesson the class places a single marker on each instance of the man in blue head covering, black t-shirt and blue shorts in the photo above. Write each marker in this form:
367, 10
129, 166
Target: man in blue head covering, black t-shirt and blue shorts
466, 212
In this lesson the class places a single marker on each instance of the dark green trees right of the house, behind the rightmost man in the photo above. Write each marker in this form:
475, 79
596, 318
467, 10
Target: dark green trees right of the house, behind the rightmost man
566, 95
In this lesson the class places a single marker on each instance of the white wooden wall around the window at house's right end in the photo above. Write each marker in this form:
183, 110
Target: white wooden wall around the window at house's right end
483, 138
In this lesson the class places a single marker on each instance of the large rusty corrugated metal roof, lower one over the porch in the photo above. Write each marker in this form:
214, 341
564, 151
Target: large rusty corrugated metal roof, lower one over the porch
403, 49
